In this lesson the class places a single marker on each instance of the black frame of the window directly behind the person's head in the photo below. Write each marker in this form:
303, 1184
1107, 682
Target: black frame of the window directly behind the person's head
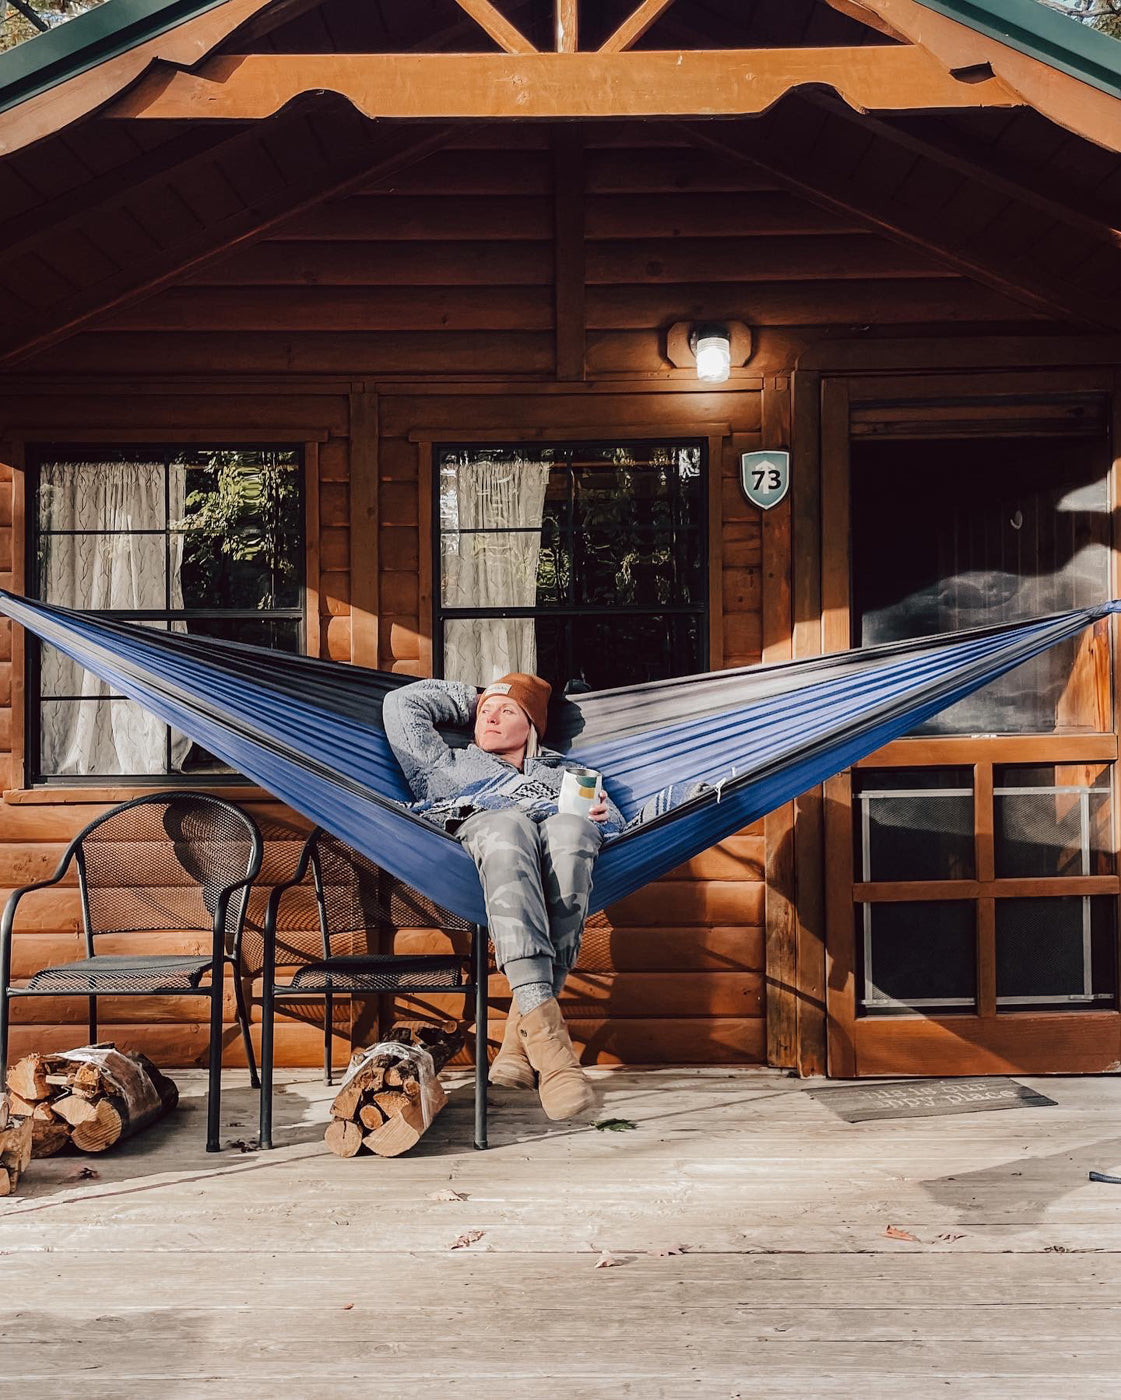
597, 444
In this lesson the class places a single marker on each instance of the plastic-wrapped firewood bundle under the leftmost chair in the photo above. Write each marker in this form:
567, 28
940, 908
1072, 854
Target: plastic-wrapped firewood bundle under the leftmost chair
92, 1097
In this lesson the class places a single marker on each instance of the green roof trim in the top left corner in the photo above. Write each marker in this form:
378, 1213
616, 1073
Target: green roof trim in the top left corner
82, 44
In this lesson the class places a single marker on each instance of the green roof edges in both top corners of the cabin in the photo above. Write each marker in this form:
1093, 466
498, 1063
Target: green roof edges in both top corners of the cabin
120, 26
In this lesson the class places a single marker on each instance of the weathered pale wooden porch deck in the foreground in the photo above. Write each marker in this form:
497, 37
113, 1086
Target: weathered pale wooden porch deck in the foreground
297, 1273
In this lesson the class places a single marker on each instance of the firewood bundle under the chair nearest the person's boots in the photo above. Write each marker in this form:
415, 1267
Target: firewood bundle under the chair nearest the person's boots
388, 1100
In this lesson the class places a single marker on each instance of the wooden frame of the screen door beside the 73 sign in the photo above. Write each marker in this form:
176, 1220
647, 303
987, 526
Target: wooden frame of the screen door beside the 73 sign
1094, 1039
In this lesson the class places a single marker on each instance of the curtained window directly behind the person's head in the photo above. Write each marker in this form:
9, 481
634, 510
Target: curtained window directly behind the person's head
584, 565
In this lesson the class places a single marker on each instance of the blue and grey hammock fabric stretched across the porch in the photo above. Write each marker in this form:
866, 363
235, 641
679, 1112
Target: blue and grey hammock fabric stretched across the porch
310, 733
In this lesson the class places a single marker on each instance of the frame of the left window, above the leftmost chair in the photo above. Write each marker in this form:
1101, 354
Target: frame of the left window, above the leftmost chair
36, 453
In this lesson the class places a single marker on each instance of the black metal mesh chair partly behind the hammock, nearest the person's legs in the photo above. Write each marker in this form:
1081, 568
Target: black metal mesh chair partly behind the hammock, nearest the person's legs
359, 906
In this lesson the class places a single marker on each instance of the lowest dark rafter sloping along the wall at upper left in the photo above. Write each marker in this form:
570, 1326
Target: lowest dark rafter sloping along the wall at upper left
356, 163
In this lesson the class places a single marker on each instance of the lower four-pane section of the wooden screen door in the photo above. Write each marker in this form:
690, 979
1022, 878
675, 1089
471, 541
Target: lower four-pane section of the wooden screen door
1010, 864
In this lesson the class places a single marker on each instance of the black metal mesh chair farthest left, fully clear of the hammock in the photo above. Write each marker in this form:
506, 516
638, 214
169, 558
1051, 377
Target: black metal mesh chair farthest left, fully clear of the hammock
178, 863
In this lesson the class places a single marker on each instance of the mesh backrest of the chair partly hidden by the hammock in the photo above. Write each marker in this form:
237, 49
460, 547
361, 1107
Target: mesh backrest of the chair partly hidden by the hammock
356, 897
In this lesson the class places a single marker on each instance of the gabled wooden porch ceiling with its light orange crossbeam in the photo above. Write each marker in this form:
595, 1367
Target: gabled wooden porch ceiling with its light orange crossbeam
108, 209
